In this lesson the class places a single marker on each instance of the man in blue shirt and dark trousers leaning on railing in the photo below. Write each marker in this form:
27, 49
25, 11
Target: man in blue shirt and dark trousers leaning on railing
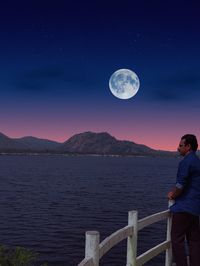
186, 209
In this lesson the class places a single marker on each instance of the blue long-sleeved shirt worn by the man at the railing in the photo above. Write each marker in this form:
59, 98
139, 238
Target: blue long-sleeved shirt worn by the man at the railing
188, 179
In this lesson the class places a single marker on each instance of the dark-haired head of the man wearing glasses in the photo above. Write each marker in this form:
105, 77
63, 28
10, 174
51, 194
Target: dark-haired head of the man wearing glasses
188, 143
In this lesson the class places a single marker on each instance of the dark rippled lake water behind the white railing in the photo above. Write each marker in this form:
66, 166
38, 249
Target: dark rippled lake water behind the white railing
47, 202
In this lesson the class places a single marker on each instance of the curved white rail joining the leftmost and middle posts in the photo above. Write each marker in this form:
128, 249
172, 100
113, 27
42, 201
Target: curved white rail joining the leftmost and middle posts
114, 239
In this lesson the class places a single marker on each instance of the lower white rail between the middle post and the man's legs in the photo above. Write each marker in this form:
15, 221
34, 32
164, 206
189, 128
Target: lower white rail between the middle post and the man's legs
153, 252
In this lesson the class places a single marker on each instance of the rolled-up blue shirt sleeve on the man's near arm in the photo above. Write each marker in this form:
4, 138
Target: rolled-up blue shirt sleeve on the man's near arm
182, 174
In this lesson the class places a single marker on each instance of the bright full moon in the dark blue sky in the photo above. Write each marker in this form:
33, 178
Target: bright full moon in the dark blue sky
124, 84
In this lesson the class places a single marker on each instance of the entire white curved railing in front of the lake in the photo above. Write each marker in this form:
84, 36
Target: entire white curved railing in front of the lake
94, 250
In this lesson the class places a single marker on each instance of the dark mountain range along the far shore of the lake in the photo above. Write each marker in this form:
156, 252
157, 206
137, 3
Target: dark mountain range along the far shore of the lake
83, 143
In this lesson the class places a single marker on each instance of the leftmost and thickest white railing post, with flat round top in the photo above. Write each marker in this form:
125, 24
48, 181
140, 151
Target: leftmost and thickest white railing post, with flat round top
92, 246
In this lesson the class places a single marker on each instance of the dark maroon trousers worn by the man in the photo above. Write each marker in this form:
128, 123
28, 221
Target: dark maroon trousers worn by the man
185, 226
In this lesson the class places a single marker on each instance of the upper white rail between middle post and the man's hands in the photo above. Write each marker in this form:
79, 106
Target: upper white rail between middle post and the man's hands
154, 218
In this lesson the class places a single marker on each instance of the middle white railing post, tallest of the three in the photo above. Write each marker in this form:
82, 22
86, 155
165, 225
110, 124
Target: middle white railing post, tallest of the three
132, 240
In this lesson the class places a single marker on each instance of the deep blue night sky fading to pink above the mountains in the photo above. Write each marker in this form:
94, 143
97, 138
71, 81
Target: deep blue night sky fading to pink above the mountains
56, 58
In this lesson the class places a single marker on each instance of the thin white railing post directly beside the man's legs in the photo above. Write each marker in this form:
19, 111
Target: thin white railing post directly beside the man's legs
168, 256
